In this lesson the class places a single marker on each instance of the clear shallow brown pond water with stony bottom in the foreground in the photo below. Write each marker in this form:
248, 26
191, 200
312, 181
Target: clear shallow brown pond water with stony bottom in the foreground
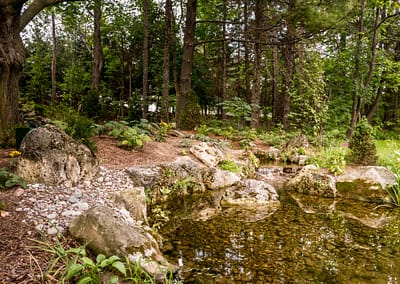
336, 241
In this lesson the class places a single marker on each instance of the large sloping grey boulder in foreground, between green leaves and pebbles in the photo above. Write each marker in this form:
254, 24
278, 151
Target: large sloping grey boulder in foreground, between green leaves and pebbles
114, 232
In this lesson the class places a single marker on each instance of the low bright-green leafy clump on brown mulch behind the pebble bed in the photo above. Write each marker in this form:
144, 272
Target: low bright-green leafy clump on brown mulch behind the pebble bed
129, 137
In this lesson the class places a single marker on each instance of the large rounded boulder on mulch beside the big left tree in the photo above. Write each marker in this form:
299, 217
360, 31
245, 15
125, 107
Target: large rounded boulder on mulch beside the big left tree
50, 156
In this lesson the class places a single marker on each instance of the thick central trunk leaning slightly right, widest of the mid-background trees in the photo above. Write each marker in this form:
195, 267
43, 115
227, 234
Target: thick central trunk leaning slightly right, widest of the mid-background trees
187, 65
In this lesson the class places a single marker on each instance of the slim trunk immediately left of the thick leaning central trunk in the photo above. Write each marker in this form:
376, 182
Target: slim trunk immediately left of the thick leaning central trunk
165, 85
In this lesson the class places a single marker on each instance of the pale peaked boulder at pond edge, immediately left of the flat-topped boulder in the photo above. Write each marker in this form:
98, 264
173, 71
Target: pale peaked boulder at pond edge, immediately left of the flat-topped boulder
312, 181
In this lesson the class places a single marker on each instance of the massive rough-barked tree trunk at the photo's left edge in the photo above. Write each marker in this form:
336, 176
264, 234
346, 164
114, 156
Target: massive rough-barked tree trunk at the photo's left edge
12, 56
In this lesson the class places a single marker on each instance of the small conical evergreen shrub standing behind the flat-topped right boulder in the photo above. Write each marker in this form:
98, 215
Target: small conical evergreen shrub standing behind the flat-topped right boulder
362, 144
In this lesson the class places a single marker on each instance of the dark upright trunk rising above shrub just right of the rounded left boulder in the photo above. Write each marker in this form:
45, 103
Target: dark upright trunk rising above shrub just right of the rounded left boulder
97, 50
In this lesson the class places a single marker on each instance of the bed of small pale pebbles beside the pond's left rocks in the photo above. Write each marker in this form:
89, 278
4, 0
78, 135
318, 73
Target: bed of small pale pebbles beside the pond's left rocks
51, 208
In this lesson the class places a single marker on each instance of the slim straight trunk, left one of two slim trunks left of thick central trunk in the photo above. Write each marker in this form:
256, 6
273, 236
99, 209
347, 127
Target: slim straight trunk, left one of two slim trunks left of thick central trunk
145, 96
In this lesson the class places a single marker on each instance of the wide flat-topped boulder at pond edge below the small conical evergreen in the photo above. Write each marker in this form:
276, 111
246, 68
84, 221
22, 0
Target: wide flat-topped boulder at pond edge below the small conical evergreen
365, 183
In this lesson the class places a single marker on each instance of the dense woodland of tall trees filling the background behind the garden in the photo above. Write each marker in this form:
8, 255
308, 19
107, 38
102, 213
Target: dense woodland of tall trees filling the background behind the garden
309, 65
